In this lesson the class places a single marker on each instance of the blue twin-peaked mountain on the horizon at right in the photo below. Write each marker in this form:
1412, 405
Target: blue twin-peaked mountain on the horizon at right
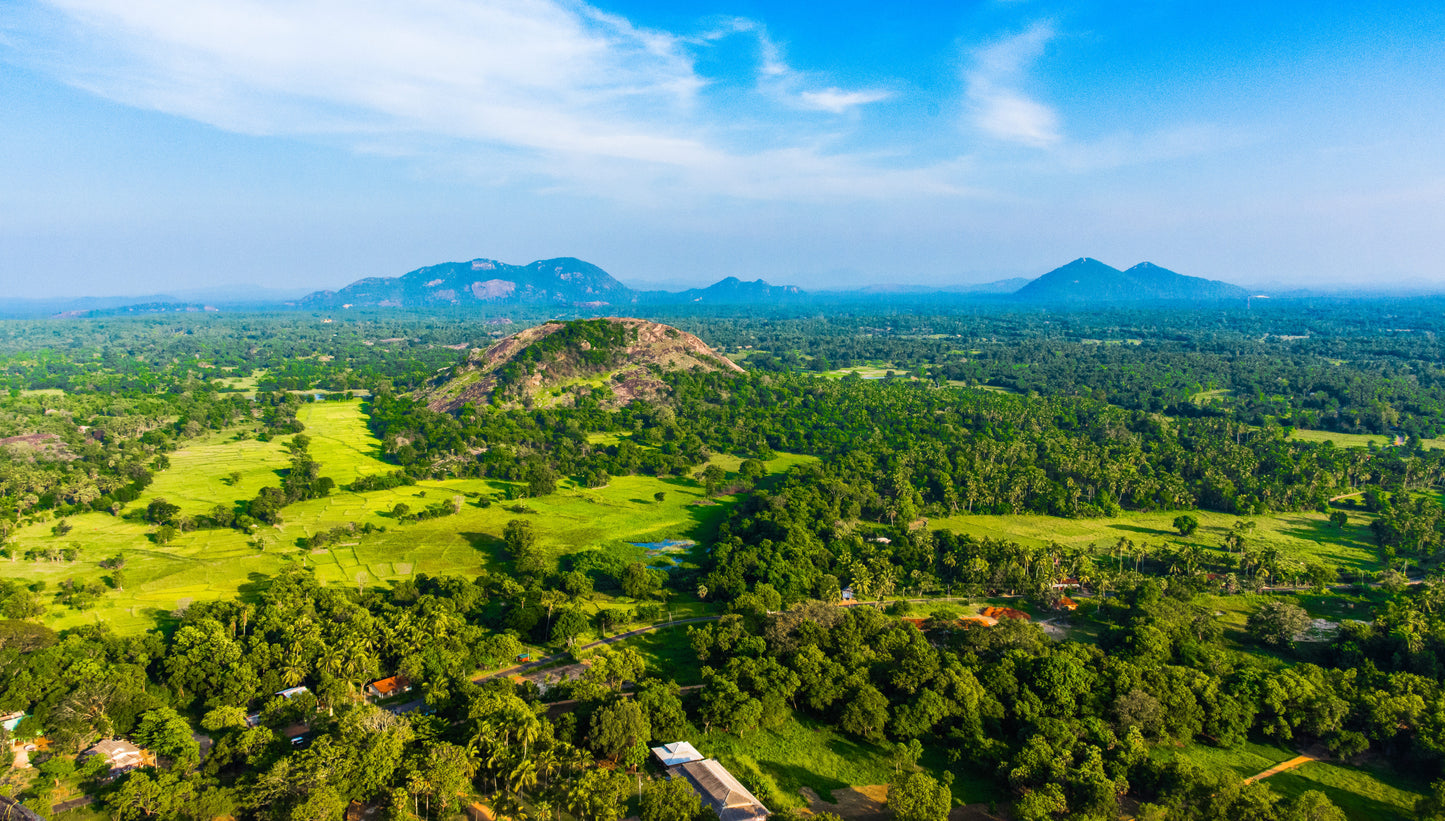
1092, 281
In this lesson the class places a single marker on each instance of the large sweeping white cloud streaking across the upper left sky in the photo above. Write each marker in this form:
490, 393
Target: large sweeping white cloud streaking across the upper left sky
557, 87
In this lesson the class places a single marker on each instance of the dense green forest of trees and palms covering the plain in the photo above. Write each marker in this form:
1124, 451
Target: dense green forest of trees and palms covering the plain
843, 598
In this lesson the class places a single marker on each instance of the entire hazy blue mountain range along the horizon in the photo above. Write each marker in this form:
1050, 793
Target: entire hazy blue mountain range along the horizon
576, 285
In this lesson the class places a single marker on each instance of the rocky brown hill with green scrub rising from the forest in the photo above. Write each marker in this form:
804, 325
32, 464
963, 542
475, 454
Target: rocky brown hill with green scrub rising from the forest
616, 361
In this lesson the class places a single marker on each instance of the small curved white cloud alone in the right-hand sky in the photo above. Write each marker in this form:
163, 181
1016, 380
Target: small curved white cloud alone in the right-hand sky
998, 105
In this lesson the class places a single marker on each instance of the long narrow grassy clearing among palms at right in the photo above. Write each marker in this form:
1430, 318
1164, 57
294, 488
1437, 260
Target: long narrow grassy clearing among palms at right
1306, 537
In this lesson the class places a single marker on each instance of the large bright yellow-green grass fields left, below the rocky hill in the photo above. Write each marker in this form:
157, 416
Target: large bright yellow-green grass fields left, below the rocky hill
217, 564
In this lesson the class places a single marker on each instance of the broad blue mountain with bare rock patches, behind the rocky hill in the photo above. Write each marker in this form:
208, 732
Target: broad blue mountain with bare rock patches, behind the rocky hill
480, 283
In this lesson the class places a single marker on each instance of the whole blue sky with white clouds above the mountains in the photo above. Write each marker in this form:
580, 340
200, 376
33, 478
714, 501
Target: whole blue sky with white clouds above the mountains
152, 145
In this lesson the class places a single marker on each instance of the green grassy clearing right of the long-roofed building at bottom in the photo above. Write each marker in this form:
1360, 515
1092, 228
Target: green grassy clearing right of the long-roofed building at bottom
806, 754
